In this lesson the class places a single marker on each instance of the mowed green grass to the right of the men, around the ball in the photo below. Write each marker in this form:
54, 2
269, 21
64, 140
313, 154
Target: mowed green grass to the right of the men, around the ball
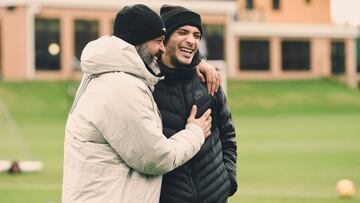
296, 139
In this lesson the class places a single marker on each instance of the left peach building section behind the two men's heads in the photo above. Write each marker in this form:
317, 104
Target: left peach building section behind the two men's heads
43, 39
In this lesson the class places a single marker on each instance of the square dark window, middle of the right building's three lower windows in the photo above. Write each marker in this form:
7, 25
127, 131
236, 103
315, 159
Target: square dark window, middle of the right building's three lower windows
296, 55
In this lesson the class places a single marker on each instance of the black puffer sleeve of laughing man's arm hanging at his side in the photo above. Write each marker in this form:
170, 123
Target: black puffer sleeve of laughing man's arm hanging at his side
227, 137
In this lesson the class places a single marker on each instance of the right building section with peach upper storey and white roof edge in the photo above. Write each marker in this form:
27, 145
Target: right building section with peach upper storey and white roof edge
279, 39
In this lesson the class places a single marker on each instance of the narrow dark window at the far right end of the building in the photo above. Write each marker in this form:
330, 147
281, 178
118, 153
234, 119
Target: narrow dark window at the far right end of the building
337, 57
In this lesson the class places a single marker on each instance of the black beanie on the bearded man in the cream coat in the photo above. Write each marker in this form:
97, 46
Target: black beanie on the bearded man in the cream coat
137, 24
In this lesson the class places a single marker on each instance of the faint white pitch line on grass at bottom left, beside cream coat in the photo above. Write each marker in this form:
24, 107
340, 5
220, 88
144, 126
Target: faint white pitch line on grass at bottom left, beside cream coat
29, 186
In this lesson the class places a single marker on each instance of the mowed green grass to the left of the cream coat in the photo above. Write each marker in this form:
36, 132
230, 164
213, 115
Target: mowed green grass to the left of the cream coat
39, 110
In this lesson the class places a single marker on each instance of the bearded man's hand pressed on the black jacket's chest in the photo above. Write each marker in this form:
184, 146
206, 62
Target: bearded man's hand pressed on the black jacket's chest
204, 122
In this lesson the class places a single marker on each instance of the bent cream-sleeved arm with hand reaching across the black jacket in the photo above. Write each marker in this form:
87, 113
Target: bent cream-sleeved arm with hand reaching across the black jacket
132, 130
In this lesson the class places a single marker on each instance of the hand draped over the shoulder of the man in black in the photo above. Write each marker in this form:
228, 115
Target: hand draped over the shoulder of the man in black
207, 73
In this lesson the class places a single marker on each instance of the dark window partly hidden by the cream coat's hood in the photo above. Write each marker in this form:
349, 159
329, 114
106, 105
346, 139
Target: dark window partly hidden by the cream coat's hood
85, 31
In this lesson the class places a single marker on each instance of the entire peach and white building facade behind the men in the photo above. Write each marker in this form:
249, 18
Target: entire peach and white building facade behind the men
254, 39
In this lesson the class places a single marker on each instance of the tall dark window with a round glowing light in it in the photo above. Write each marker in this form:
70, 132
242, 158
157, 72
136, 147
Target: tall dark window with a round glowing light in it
47, 44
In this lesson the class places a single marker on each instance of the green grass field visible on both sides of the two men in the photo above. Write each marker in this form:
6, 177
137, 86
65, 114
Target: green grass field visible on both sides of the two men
296, 139
